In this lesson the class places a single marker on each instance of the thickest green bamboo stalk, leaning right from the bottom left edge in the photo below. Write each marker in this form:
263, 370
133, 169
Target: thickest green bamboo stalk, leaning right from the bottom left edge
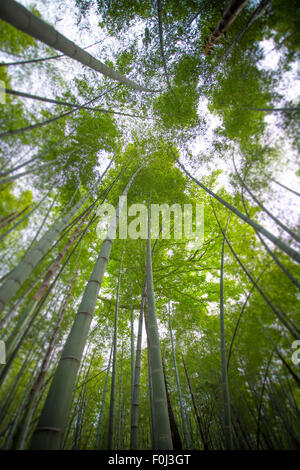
53, 417
